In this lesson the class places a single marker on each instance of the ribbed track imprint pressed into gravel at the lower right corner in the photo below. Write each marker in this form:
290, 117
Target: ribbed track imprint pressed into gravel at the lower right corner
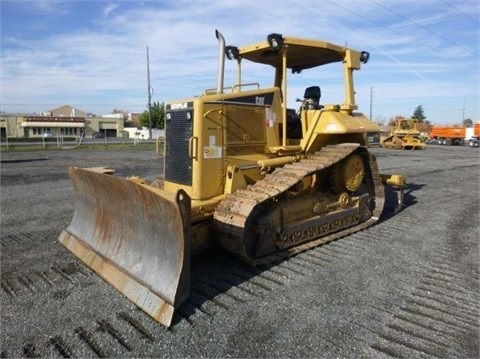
439, 315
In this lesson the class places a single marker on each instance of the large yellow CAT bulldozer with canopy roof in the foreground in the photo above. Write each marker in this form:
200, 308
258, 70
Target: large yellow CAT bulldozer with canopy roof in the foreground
242, 171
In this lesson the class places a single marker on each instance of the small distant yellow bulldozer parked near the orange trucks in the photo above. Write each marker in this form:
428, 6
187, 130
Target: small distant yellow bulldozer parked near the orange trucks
405, 136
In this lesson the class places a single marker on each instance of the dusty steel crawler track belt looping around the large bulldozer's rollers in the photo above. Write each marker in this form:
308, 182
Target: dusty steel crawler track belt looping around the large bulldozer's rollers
232, 215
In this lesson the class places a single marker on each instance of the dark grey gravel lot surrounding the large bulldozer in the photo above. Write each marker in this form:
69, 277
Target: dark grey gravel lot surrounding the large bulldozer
407, 287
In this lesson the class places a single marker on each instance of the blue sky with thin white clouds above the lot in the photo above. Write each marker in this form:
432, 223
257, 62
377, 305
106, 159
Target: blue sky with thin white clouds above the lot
92, 55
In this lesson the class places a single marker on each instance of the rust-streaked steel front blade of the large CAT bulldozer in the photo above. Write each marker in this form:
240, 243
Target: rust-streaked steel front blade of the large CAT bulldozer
136, 237
